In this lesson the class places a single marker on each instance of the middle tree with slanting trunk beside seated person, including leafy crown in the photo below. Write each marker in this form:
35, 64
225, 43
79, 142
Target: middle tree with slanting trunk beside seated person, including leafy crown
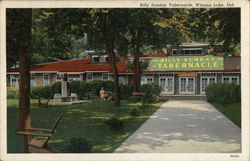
106, 28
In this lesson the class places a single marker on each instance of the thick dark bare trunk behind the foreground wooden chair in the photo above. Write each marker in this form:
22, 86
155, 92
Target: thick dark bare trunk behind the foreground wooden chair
24, 51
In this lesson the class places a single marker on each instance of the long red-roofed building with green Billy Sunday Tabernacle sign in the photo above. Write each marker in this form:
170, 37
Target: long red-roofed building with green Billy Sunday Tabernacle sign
186, 71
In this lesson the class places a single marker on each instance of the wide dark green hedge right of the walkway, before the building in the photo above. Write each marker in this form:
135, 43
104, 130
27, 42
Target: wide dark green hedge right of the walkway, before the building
223, 93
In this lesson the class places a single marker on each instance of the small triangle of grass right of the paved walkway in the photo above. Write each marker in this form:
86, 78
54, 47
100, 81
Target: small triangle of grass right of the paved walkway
231, 111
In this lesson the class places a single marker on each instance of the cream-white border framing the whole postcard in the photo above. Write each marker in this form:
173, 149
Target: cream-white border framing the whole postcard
245, 69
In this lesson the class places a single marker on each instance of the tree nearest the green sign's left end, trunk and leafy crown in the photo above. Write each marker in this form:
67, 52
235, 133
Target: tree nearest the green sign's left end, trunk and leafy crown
152, 27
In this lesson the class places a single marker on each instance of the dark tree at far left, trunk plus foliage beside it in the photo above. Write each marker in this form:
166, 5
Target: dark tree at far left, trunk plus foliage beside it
20, 20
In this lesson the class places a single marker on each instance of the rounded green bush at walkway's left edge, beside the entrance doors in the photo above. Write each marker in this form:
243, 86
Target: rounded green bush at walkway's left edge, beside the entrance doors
152, 91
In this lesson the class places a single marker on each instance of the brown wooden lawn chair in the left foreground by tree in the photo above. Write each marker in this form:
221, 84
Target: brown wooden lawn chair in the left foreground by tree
40, 146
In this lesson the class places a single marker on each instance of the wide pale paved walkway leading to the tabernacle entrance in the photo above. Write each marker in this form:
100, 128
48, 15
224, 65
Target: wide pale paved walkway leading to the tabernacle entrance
185, 126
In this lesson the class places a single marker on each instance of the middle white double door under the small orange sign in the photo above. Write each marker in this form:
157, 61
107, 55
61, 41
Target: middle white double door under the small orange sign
187, 85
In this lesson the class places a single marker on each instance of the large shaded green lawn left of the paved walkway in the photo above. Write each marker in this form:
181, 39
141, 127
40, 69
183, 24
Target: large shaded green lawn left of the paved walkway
82, 120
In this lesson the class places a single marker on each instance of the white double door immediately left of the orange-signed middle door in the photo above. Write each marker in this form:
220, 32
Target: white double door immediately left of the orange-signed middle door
167, 85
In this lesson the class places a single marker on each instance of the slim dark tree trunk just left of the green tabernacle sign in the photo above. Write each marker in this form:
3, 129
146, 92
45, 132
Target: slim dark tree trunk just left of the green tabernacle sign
137, 61
